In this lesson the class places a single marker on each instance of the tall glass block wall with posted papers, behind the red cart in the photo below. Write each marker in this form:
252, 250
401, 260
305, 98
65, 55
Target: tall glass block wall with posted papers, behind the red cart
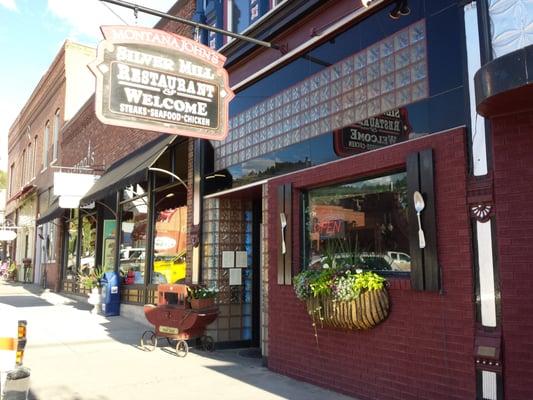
228, 227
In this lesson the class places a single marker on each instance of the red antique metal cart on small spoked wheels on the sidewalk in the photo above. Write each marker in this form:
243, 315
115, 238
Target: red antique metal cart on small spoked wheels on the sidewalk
175, 320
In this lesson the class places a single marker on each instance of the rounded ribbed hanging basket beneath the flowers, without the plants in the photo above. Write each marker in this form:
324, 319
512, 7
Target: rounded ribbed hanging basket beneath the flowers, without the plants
365, 312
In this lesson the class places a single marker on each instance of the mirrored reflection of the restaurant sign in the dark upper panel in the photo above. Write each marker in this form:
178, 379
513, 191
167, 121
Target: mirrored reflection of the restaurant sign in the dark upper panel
372, 133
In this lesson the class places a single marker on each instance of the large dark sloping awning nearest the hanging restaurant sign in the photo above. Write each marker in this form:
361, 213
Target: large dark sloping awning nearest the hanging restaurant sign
128, 170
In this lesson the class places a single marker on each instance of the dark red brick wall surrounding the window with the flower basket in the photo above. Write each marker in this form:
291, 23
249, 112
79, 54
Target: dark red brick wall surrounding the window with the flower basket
424, 350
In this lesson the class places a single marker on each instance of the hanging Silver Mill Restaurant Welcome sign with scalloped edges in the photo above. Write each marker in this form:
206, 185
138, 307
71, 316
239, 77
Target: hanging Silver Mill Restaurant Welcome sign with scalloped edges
156, 80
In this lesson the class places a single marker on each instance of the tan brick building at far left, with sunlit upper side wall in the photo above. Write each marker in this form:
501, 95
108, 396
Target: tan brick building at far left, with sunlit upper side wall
34, 150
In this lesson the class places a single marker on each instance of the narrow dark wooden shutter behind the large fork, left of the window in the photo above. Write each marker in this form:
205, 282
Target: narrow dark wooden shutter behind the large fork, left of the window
284, 260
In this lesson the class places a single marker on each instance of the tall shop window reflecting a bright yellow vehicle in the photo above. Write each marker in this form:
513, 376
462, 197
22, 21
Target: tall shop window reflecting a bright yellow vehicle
170, 235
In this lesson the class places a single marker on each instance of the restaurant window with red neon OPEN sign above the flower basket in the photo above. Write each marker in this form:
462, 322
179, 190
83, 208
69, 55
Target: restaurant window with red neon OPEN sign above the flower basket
360, 223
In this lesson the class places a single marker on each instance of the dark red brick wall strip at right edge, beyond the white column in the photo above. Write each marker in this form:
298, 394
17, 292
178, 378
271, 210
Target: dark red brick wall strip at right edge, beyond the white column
513, 191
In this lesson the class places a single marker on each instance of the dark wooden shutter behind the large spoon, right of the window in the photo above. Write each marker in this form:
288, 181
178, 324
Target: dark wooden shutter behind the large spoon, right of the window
425, 272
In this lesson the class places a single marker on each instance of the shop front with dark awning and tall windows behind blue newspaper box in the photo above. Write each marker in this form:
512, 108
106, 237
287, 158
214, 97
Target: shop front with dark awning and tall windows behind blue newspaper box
138, 224
